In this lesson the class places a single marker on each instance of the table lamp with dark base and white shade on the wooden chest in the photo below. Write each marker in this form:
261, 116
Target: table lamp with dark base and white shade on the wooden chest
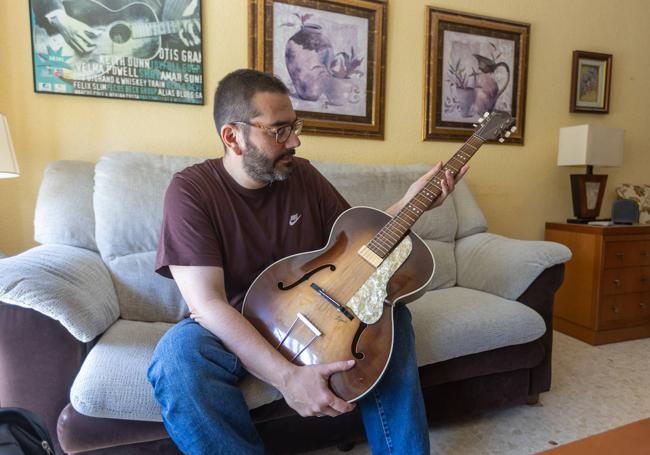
589, 145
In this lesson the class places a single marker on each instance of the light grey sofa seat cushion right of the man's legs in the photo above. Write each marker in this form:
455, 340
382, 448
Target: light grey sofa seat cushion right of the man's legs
455, 322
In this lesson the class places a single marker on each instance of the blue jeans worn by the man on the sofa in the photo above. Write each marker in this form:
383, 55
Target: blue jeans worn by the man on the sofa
195, 380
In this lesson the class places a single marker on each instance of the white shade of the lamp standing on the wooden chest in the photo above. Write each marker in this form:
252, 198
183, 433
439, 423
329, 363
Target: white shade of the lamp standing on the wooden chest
593, 145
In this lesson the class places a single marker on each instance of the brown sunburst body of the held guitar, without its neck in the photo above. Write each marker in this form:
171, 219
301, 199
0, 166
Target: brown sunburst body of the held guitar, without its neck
284, 305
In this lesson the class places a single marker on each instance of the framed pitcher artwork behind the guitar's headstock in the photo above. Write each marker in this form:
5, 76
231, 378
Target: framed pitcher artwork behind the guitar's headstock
474, 64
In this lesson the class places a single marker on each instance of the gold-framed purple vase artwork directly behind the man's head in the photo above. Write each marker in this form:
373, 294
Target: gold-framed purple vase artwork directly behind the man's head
330, 54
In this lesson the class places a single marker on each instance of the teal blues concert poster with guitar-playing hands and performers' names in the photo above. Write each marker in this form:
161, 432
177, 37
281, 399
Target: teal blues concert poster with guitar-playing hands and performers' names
126, 49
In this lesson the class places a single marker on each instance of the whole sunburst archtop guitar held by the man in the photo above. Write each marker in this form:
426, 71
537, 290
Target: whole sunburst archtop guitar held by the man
337, 303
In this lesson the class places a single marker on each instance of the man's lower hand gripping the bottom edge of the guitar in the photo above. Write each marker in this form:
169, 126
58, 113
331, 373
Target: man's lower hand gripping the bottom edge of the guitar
306, 390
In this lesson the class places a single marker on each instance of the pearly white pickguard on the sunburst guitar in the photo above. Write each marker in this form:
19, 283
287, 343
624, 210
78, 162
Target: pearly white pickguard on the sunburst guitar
368, 302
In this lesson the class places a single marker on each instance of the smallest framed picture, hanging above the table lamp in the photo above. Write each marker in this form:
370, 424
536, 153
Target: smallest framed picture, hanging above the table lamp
591, 78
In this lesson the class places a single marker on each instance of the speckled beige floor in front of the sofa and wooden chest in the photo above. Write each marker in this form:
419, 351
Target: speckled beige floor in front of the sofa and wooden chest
594, 388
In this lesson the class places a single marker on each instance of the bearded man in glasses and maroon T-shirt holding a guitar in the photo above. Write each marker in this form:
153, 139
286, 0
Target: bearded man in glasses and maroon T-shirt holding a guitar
225, 220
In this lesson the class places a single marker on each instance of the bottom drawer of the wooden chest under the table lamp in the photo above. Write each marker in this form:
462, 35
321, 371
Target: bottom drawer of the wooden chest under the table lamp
628, 309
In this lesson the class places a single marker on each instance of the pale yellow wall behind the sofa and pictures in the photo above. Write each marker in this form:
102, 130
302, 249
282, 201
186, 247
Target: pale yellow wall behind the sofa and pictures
519, 188
